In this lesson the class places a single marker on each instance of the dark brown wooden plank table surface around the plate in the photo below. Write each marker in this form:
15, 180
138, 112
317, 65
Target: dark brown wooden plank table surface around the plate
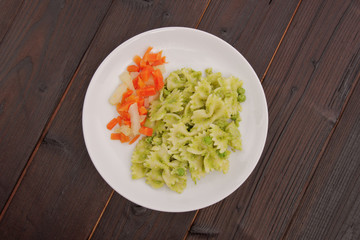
307, 182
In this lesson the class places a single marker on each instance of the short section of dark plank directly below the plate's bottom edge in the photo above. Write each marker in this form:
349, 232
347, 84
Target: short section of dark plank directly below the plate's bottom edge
126, 220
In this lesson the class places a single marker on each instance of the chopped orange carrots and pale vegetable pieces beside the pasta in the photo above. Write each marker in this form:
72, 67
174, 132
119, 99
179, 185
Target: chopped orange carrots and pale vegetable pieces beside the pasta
140, 84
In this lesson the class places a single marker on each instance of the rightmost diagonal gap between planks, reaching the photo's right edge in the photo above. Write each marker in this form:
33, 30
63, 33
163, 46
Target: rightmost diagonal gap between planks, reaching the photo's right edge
318, 159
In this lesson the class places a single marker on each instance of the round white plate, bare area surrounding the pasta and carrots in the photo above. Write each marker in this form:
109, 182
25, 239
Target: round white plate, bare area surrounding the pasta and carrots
183, 47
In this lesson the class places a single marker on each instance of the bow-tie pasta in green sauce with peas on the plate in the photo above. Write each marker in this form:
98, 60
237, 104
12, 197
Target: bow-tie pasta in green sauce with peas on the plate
194, 123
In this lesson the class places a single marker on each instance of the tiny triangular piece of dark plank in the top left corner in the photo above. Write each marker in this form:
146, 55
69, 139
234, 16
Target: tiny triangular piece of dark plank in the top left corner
7, 17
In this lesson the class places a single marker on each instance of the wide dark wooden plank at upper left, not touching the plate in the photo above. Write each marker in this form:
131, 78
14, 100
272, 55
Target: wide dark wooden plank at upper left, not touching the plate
38, 56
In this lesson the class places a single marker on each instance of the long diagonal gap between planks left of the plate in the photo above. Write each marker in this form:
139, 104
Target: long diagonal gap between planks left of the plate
49, 122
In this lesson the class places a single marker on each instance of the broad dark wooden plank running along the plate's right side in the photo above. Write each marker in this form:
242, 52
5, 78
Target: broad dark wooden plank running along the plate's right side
306, 87
